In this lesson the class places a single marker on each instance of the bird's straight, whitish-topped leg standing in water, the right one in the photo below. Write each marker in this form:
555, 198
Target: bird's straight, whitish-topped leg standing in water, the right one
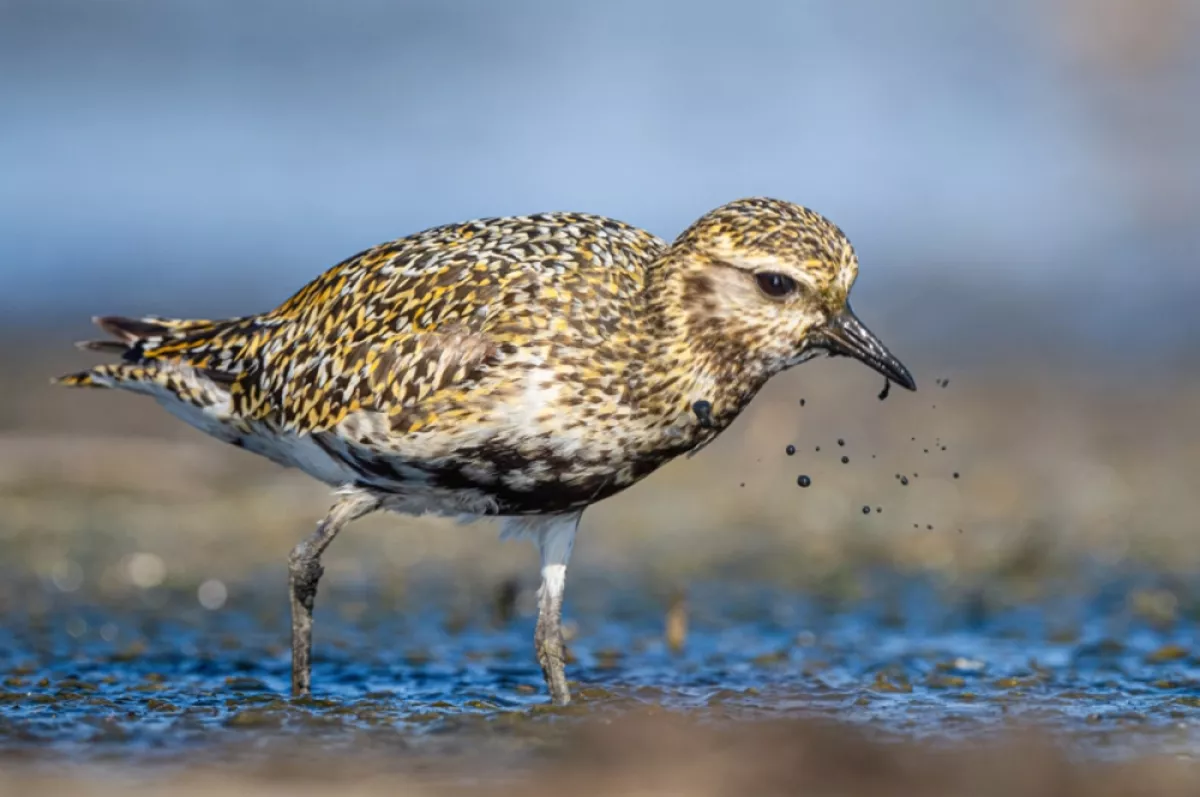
556, 538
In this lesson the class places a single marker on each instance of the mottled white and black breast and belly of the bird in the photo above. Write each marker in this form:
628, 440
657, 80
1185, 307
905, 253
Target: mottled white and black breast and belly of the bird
553, 432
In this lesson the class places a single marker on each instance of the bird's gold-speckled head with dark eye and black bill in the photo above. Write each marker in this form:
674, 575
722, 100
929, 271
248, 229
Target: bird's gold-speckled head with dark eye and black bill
767, 283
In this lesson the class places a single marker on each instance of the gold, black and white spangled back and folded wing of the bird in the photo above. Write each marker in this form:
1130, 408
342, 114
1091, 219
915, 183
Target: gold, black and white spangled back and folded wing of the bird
395, 325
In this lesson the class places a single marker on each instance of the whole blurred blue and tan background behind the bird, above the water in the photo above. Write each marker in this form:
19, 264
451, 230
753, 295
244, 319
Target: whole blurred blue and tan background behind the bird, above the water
1022, 182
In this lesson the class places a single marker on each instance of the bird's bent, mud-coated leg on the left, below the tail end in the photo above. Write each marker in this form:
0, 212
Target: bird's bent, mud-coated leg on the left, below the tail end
304, 573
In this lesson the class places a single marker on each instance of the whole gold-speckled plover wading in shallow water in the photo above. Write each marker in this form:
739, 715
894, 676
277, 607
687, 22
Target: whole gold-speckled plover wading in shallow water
521, 368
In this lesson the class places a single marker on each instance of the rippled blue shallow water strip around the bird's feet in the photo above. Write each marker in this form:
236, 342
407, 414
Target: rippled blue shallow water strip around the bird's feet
155, 678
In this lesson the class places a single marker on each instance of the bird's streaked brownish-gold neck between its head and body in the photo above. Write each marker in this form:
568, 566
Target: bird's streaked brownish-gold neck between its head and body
691, 358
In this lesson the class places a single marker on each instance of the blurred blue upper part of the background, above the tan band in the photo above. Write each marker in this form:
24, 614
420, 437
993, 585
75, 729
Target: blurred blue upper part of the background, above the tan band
1033, 157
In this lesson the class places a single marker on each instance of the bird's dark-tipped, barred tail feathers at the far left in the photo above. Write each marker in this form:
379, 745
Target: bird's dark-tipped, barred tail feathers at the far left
145, 346
